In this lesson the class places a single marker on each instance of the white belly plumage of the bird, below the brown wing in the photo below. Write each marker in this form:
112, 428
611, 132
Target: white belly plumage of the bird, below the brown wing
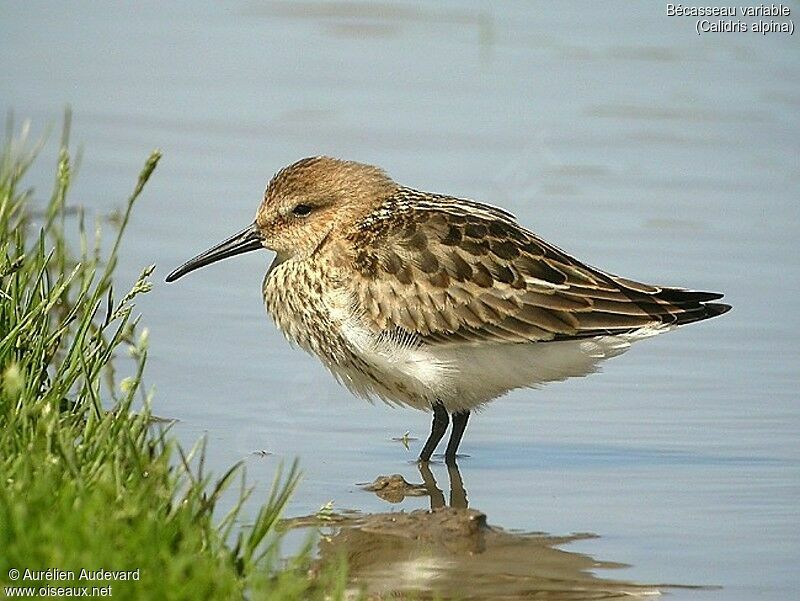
465, 376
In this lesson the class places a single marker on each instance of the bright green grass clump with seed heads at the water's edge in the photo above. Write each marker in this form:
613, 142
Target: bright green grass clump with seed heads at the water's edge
88, 479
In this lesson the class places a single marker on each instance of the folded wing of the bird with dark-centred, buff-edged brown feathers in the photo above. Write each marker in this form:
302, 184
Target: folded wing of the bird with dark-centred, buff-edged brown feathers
455, 271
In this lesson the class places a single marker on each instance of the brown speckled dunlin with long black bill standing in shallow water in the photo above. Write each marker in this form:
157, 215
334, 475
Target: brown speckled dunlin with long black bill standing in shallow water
435, 302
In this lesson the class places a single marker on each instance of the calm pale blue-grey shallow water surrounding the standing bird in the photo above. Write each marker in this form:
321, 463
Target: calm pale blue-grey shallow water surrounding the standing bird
611, 129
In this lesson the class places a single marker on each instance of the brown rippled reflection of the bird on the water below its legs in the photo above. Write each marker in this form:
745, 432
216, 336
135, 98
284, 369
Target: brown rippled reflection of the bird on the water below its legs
450, 551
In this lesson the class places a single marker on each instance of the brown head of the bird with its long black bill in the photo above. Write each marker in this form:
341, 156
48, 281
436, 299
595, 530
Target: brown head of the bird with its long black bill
303, 205
